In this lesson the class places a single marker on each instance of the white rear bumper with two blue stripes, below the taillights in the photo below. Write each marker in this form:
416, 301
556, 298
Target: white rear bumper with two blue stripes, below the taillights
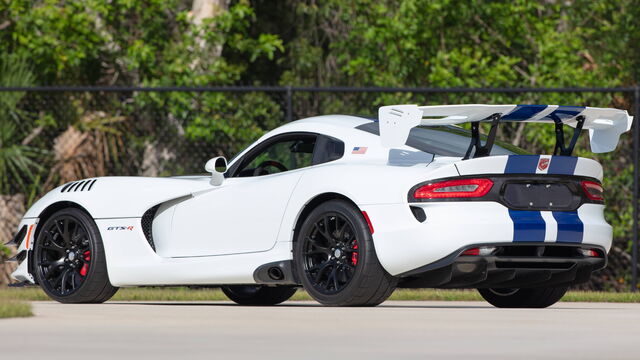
404, 243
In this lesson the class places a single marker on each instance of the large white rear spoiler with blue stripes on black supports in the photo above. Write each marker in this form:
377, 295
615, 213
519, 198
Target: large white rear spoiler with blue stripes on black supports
605, 125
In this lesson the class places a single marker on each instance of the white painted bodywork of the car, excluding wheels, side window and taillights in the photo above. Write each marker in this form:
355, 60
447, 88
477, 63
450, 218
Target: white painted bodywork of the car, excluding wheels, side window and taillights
208, 234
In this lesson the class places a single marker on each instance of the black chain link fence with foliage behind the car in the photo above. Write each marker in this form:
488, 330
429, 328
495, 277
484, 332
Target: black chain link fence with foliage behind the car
52, 135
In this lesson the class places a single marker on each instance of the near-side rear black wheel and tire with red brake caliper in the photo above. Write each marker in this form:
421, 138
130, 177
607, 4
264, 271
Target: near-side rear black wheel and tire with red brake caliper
325, 262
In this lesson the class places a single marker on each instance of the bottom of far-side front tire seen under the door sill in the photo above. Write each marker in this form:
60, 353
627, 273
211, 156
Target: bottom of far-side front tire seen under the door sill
258, 294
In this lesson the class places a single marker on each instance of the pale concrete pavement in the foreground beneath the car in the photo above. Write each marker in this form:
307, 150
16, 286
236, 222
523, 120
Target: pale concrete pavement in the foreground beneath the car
305, 330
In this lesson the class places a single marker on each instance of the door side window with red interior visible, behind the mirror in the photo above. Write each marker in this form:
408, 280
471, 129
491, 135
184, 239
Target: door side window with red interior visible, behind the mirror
287, 154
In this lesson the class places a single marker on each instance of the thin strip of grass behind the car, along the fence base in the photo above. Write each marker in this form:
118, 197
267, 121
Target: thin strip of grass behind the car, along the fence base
209, 294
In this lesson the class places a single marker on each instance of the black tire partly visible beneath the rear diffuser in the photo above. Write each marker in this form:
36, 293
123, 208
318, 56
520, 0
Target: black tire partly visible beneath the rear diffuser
523, 298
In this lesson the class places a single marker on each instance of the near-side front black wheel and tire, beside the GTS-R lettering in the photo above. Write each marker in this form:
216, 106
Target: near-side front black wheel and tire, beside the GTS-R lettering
69, 243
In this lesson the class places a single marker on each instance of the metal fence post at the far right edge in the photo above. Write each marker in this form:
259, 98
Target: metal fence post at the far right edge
636, 140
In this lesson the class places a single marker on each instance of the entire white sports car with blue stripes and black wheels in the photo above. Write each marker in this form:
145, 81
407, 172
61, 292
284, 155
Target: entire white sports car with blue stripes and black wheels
349, 208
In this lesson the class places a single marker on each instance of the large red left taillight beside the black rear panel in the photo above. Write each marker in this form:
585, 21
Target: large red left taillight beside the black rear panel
463, 188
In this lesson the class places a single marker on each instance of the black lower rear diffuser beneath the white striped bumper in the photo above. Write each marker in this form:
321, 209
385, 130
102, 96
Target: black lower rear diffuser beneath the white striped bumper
523, 270
